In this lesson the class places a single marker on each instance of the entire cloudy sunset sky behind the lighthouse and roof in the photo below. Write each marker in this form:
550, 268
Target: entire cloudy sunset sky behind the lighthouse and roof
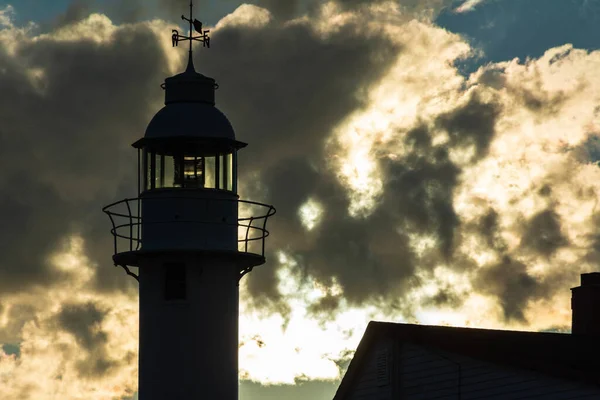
431, 162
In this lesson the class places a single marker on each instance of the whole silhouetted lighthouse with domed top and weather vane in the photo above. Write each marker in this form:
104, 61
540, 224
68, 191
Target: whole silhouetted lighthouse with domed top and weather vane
191, 248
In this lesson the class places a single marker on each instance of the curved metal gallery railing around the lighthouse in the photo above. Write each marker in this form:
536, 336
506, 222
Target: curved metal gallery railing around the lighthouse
127, 225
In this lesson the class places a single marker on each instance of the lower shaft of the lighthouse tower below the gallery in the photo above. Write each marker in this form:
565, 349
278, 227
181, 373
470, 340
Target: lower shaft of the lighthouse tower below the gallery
189, 348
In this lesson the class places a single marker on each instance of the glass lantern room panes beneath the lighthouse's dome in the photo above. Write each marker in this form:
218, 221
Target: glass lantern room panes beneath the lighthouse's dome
189, 171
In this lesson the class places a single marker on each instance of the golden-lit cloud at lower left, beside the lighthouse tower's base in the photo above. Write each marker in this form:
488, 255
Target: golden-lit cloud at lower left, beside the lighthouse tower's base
65, 340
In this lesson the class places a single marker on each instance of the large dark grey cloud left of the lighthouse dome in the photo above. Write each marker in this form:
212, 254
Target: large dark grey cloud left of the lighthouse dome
69, 139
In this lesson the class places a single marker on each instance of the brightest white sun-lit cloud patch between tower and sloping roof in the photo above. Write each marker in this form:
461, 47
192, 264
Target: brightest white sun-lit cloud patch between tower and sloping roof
309, 348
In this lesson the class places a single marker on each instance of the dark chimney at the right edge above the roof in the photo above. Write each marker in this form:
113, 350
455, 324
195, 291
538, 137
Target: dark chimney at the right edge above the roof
585, 303
